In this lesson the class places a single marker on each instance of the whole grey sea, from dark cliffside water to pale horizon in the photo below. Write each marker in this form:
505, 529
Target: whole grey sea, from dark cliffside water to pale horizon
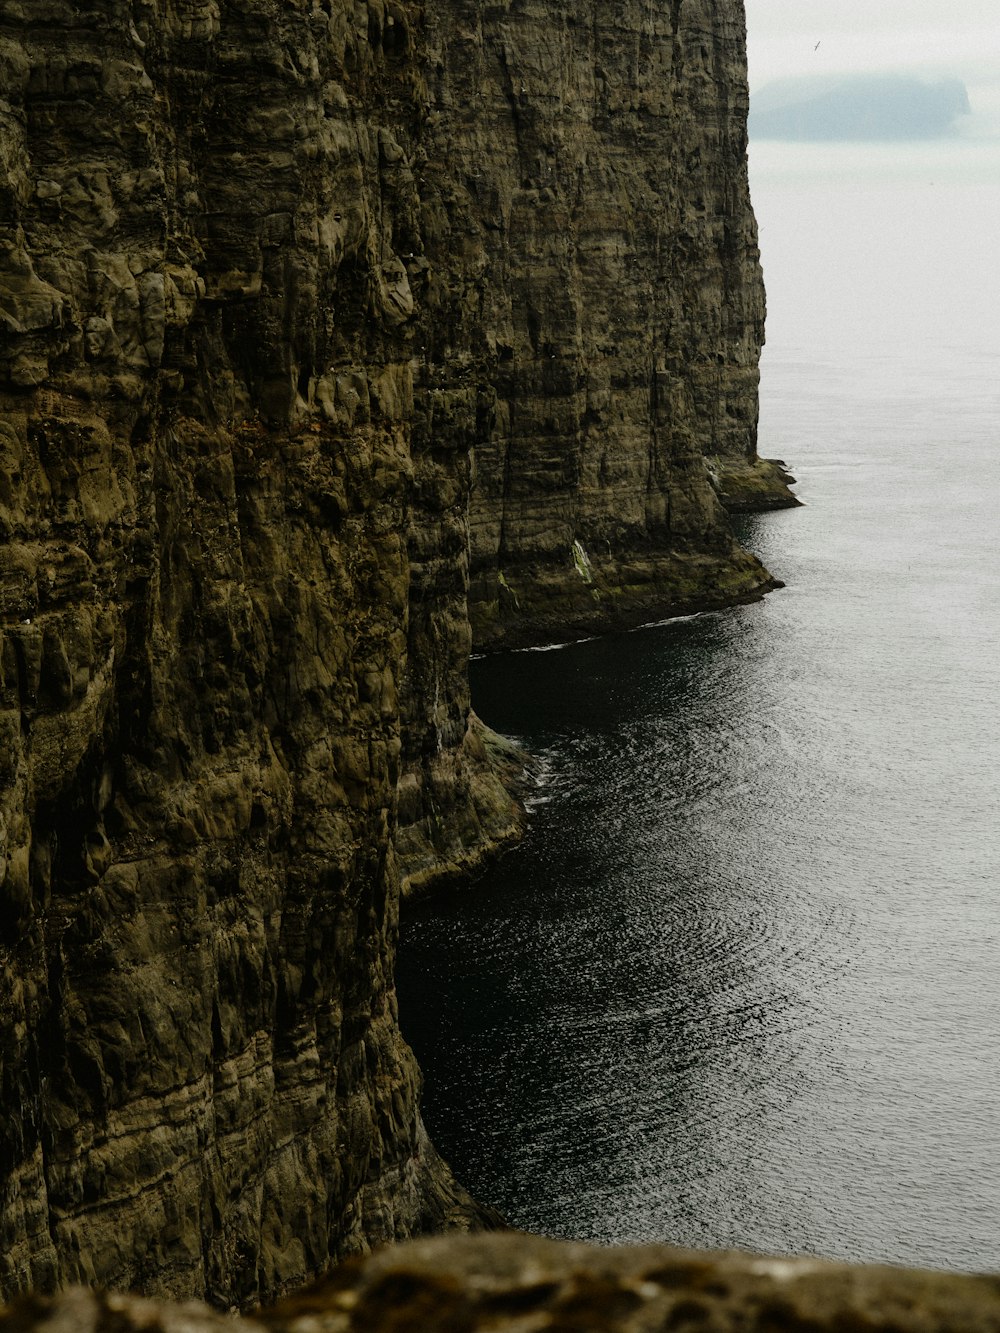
741, 986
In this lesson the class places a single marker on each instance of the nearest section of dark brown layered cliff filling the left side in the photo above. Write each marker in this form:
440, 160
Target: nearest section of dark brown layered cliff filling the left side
206, 485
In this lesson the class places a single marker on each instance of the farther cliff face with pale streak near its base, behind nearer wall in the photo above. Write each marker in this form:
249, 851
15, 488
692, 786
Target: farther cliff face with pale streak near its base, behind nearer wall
598, 269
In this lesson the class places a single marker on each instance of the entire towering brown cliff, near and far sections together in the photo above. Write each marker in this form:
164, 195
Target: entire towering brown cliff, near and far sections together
257, 315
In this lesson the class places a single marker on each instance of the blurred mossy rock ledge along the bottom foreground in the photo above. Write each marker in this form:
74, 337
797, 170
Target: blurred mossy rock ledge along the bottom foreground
511, 1282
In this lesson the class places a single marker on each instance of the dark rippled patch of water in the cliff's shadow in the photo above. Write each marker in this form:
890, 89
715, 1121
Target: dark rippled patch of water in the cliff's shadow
633, 1058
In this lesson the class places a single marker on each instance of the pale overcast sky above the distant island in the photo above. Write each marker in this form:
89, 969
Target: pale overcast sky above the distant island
958, 38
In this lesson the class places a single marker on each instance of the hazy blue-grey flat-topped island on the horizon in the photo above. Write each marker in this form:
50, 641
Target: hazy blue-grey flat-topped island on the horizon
858, 107
